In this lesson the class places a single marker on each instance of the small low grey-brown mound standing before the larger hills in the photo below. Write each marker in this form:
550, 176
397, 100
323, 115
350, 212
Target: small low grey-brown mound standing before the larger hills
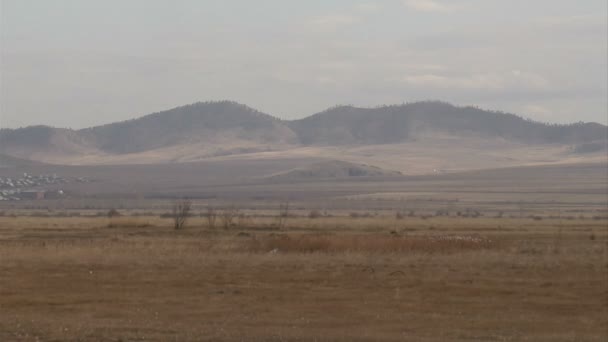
332, 169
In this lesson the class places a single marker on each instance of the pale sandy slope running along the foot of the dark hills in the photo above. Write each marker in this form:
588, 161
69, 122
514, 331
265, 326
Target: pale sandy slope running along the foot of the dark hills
436, 154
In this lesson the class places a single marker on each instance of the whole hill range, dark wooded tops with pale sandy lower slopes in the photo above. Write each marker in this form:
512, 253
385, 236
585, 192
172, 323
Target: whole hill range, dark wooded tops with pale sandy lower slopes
416, 138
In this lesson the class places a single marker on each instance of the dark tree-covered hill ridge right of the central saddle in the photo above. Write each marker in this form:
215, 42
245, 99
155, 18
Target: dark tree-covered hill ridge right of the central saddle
392, 124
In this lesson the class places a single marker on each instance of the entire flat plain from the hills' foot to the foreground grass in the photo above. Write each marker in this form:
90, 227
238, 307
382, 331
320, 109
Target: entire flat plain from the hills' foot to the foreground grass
512, 254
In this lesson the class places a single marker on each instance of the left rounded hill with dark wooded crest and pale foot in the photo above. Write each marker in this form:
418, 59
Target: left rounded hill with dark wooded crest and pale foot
226, 125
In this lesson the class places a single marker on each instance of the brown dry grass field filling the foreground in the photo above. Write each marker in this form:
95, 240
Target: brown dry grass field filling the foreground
322, 279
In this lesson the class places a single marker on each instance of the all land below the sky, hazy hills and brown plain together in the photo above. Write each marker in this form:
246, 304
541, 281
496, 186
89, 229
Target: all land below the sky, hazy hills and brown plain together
398, 222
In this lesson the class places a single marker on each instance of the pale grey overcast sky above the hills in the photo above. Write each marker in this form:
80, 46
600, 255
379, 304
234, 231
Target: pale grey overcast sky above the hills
75, 64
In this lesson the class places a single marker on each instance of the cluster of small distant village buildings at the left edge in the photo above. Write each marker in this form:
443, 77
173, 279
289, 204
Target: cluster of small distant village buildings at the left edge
29, 187
